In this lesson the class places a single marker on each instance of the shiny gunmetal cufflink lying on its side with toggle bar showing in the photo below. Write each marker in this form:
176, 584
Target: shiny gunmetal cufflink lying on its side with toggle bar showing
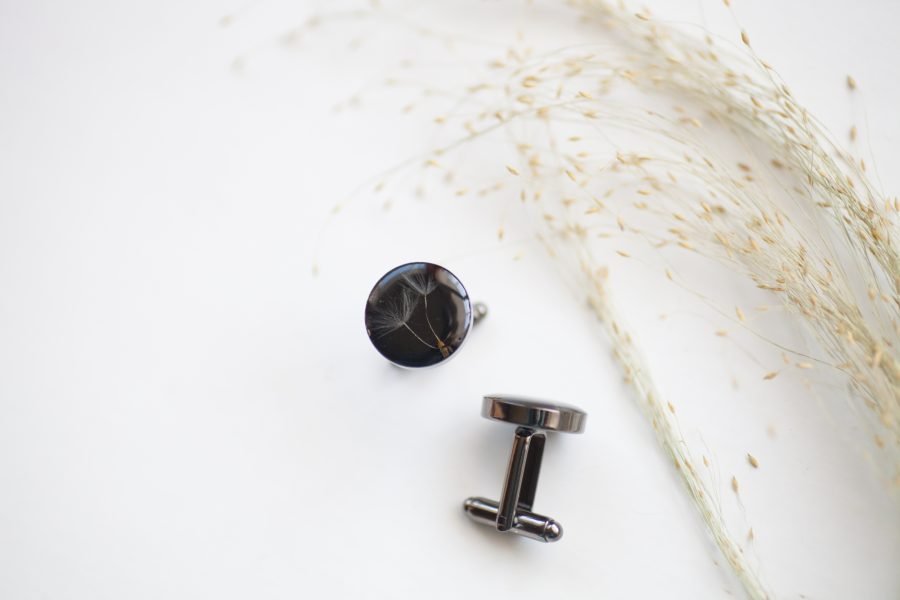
513, 513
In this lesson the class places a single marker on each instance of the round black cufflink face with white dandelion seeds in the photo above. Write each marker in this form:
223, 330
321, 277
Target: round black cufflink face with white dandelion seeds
418, 315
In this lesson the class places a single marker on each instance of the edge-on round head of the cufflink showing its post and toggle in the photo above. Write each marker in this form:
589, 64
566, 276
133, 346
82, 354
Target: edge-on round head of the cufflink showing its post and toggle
536, 414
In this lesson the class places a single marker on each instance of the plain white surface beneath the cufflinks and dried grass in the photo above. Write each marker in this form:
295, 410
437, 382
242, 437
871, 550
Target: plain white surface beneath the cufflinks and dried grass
186, 411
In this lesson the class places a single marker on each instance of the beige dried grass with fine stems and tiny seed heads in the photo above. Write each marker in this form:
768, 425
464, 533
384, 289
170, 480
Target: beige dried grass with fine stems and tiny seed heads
628, 141
